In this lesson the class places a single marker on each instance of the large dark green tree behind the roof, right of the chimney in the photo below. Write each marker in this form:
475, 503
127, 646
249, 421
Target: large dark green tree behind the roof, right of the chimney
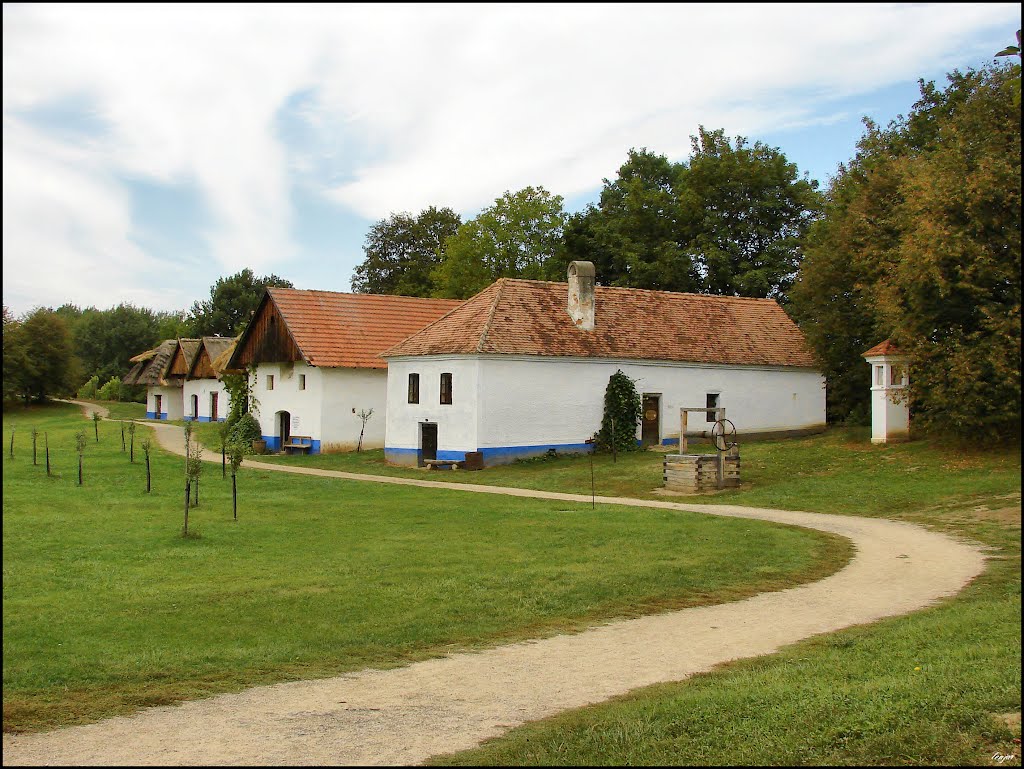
730, 221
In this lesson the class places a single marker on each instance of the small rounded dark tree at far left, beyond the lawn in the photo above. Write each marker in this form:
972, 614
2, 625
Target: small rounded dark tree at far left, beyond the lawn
49, 347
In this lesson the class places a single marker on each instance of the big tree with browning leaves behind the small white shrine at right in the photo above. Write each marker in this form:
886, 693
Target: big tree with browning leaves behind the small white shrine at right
923, 231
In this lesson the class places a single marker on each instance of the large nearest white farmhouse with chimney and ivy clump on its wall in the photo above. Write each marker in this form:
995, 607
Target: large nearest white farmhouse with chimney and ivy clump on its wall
522, 368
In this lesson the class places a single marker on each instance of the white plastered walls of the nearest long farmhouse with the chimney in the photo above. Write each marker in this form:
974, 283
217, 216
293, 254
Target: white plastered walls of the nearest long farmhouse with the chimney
503, 402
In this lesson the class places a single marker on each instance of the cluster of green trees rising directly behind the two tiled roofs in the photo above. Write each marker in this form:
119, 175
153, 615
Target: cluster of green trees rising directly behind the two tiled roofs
729, 221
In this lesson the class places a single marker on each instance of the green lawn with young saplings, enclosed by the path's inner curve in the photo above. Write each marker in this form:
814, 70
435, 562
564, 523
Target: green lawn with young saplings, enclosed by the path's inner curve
107, 608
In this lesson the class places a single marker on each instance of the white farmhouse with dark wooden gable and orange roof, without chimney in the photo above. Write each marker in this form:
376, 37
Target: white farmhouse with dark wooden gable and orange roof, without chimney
316, 360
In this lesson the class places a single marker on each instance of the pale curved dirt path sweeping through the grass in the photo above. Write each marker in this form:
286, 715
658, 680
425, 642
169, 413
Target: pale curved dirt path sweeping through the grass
404, 716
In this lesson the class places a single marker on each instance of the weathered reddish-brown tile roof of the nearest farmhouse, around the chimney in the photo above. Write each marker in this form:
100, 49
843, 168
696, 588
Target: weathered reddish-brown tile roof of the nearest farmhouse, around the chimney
530, 318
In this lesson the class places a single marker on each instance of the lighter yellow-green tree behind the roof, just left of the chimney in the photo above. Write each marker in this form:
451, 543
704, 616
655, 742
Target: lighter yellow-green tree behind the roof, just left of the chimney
515, 238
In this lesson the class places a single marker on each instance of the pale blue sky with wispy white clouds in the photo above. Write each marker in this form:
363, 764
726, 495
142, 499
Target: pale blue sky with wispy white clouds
150, 150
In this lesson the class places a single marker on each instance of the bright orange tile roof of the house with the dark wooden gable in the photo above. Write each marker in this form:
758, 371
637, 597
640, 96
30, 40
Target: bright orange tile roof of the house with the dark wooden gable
332, 329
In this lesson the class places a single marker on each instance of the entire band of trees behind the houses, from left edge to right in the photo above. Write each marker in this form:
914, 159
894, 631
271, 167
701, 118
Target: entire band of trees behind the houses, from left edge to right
916, 240
